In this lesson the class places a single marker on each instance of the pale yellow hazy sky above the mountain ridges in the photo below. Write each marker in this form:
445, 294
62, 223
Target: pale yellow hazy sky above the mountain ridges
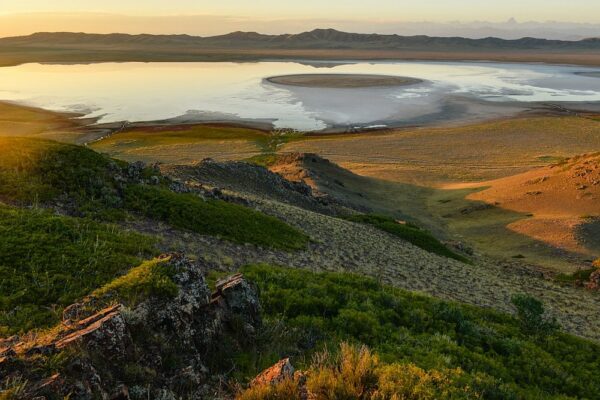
205, 17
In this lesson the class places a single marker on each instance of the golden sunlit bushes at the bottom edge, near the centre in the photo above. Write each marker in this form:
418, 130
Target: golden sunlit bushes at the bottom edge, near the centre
356, 373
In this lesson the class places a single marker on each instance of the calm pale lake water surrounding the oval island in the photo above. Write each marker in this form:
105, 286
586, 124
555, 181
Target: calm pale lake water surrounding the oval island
233, 91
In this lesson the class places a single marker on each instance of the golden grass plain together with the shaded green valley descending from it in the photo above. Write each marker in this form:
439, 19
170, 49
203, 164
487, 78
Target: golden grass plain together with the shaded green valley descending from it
412, 158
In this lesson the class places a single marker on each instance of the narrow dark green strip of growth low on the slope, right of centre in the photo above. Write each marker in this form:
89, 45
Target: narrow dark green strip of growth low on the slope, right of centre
411, 233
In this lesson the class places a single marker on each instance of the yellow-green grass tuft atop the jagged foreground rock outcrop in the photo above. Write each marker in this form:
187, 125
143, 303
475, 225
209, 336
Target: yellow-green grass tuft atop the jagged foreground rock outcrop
153, 278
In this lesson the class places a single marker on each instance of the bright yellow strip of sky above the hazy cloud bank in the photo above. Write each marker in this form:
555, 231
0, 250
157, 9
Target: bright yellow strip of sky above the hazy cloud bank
492, 10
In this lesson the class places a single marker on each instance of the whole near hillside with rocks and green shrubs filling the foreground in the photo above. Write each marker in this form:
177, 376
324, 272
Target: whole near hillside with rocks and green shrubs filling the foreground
120, 281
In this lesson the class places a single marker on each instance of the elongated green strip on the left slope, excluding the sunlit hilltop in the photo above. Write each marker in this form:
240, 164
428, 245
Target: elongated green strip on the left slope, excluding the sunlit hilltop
213, 217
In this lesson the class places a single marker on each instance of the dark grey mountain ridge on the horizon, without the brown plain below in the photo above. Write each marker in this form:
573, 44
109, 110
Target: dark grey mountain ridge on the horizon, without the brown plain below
316, 39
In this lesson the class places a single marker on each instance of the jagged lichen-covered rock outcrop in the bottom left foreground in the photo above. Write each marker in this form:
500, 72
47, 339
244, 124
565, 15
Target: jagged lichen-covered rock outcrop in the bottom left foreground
160, 348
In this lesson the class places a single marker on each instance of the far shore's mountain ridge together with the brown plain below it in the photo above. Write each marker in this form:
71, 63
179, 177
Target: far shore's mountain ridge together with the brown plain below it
319, 43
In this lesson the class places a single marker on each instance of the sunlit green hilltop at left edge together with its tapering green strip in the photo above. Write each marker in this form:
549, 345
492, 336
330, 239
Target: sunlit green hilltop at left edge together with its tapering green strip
45, 172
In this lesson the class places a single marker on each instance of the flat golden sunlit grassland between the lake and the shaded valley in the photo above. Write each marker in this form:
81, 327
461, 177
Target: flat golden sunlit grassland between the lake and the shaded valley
439, 155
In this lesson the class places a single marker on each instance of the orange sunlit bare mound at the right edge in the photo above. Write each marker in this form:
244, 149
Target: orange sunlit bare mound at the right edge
559, 198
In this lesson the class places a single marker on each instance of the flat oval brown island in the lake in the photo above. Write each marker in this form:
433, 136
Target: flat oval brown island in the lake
341, 81
